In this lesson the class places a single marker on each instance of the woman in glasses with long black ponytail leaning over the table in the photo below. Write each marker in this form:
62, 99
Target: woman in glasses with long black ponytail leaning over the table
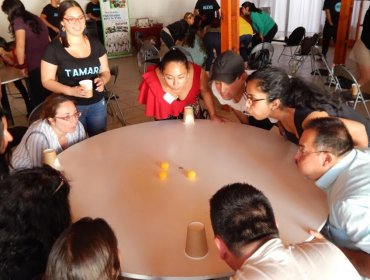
293, 102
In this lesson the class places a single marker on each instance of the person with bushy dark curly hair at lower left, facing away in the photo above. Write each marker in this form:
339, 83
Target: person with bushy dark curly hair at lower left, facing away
34, 211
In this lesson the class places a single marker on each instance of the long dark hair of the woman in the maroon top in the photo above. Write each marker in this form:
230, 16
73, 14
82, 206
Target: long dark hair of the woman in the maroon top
14, 9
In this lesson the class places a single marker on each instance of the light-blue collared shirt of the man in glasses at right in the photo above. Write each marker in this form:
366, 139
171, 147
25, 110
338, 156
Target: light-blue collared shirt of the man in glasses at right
347, 185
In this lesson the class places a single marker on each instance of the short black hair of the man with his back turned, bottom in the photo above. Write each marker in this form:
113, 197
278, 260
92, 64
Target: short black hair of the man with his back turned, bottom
241, 214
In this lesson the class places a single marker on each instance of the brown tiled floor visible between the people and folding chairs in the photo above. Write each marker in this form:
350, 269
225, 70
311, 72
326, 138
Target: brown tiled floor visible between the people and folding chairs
127, 90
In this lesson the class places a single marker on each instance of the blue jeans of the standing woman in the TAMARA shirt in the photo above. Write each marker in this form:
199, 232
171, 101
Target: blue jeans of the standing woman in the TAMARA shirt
94, 117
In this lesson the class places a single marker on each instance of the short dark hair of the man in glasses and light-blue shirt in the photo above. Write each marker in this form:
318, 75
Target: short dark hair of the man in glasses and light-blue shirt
331, 135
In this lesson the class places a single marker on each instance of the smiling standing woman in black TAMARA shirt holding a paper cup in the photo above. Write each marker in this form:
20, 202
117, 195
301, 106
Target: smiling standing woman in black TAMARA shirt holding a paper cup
73, 57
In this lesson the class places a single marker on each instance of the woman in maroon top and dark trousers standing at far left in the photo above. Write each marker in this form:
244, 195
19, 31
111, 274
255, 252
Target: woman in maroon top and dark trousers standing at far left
31, 39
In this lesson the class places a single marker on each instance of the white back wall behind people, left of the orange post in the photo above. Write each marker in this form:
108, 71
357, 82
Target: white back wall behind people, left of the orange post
165, 11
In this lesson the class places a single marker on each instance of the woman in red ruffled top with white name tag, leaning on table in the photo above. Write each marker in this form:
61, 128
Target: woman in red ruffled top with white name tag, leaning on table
174, 84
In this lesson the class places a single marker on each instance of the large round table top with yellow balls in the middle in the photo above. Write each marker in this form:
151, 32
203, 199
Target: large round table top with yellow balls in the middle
115, 176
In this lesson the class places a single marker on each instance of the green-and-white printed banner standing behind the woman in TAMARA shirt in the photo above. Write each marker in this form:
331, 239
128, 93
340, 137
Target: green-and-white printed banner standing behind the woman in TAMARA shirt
116, 27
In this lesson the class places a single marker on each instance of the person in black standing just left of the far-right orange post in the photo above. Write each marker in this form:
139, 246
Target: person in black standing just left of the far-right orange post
332, 10
